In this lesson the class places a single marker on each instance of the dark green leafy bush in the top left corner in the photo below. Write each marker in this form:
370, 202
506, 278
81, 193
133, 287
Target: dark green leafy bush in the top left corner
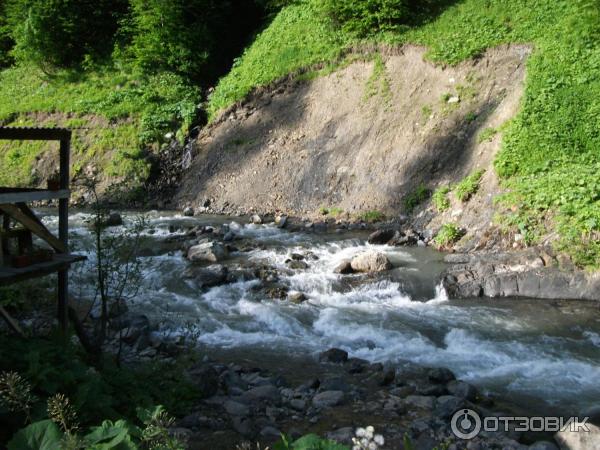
63, 33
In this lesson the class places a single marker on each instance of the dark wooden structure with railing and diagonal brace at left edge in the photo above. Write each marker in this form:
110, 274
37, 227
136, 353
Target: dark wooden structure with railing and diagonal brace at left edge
14, 209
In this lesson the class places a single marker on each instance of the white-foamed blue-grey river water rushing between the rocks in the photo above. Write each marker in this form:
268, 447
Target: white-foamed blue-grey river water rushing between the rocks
540, 354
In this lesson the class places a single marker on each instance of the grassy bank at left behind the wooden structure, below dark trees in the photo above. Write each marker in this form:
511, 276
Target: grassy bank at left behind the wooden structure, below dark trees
116, 116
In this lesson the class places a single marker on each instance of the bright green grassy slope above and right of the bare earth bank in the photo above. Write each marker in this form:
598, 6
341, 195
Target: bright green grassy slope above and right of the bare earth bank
550, 156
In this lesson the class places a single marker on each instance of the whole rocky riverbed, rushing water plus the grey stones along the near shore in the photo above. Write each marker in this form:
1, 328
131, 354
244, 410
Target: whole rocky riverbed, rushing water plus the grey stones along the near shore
262, 297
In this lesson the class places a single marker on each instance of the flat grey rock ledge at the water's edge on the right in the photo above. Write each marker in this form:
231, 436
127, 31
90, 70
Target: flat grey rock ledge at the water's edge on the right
529, 274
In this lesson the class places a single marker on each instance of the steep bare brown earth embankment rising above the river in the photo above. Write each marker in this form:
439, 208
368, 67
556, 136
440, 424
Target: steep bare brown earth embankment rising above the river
363, 138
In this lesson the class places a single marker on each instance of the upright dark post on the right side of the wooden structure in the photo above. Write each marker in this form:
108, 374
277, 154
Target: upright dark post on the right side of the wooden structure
63, 235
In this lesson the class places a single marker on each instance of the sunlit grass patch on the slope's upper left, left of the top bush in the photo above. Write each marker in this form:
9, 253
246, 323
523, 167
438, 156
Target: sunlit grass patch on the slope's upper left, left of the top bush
298, 37
